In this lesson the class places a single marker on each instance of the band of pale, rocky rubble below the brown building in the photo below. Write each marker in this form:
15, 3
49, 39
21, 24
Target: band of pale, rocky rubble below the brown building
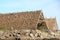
28, 34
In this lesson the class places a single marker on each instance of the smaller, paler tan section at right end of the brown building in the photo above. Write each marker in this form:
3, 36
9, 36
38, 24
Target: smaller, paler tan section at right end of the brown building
51, 24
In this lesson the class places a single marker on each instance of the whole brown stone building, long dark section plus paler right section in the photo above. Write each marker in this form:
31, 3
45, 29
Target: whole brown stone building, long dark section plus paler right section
27, 20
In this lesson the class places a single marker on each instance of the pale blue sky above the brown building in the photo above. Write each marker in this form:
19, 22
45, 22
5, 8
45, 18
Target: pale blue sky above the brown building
50, 8
